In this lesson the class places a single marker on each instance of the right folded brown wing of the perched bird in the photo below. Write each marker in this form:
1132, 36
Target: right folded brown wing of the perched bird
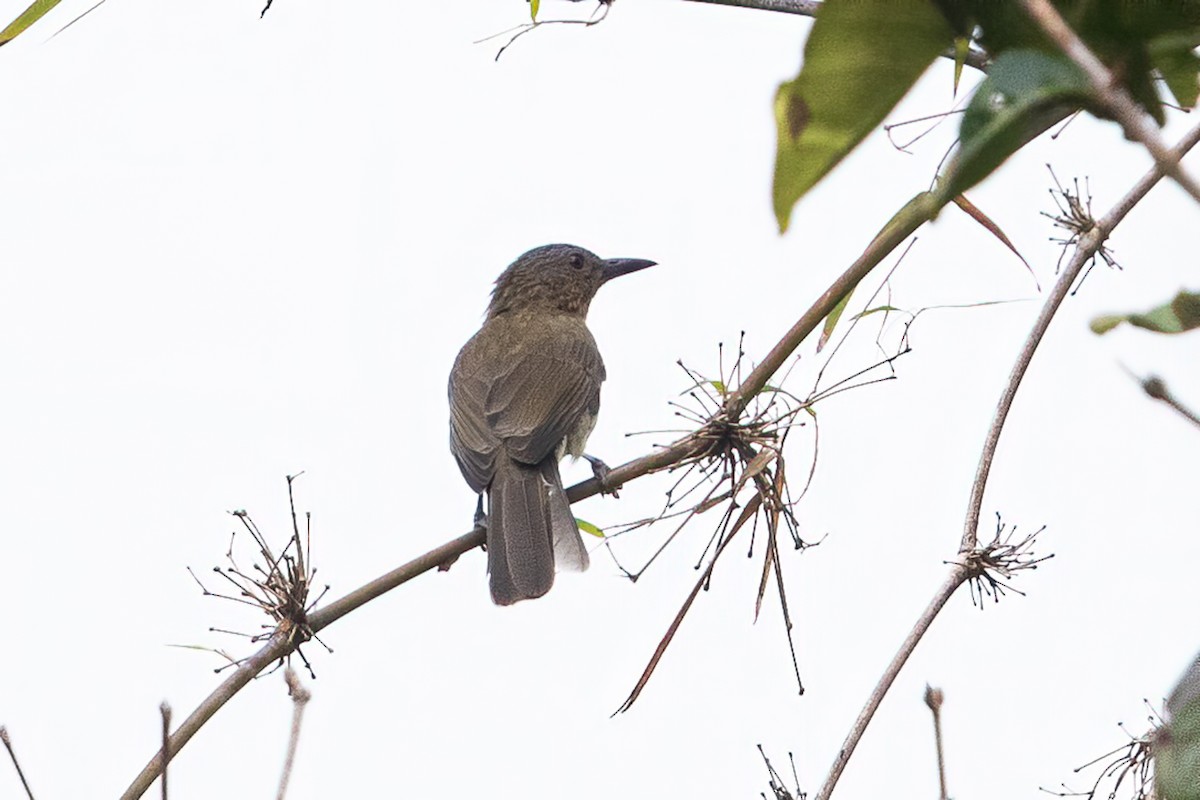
545, 392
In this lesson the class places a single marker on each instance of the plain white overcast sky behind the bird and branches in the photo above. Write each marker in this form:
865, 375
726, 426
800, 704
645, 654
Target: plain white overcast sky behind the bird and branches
239, 249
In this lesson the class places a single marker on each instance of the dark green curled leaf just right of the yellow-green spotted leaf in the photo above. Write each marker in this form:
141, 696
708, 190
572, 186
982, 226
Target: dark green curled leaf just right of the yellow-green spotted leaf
1025, 93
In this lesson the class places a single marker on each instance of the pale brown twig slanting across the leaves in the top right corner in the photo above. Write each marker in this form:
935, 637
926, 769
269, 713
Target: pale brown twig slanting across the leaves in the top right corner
1109, 92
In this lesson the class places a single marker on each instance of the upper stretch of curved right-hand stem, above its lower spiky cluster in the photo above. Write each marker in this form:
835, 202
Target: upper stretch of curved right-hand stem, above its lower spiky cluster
1089, 245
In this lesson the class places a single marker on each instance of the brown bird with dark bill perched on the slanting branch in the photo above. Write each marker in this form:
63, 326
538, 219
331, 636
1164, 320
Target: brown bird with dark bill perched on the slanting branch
525, 392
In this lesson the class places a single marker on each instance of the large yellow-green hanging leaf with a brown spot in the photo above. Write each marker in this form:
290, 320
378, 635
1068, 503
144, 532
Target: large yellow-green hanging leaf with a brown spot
861, 58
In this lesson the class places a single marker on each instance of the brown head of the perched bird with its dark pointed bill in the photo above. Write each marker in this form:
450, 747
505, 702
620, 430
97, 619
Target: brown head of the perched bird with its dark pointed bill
560, 279
